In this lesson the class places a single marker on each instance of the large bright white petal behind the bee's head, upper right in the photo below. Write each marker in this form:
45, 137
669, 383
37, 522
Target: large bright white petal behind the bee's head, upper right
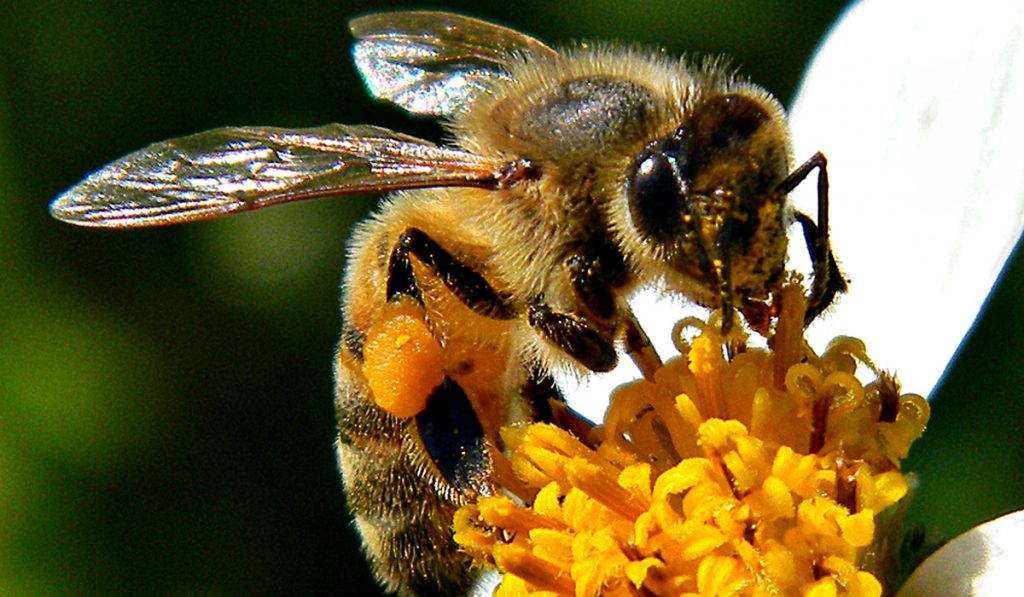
920, 109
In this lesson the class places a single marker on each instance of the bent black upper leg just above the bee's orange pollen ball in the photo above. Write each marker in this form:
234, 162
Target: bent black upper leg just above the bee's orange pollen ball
466, 284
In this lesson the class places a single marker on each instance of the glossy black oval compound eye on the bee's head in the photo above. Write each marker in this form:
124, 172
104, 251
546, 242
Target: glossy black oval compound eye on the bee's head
656, 195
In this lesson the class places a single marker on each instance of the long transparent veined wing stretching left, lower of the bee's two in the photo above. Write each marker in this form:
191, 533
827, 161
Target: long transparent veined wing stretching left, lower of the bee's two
229, 170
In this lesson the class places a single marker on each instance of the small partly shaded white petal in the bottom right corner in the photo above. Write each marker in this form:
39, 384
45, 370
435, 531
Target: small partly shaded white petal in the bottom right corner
986, 561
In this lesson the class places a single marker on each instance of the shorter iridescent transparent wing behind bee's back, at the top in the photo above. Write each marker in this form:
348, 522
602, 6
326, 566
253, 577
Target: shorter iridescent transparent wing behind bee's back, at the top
434, 64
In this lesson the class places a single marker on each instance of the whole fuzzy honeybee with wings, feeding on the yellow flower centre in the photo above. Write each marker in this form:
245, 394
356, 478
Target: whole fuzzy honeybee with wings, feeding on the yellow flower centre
575, 178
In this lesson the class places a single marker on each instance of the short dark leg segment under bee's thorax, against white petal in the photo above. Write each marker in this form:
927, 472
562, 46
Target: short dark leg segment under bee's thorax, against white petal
574, 335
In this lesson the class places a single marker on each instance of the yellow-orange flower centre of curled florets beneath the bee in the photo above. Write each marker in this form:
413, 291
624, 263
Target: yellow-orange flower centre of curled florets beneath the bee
766, 473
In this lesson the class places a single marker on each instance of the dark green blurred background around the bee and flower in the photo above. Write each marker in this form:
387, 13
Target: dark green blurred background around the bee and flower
166, 419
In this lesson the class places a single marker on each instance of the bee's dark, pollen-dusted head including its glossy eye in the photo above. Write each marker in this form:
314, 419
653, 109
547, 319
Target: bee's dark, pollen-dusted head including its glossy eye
705, 197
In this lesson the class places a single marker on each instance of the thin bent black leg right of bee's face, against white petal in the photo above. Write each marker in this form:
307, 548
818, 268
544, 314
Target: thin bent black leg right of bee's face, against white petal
829, 281
